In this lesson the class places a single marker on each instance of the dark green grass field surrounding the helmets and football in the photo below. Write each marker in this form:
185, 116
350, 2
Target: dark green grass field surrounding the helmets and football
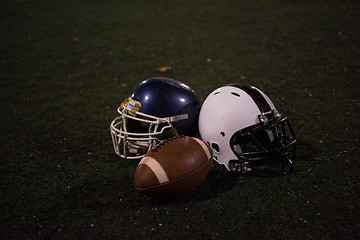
67, 65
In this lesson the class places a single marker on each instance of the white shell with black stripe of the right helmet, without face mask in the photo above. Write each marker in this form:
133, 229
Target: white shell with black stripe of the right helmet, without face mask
225, 111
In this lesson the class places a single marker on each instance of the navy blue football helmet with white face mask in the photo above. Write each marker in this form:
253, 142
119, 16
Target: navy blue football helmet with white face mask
157, 108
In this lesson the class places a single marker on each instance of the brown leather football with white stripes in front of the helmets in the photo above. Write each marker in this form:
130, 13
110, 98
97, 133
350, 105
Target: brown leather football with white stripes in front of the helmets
173, 167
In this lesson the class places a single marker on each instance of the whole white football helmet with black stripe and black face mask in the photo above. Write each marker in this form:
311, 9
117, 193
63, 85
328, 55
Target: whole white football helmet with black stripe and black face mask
246, 131
